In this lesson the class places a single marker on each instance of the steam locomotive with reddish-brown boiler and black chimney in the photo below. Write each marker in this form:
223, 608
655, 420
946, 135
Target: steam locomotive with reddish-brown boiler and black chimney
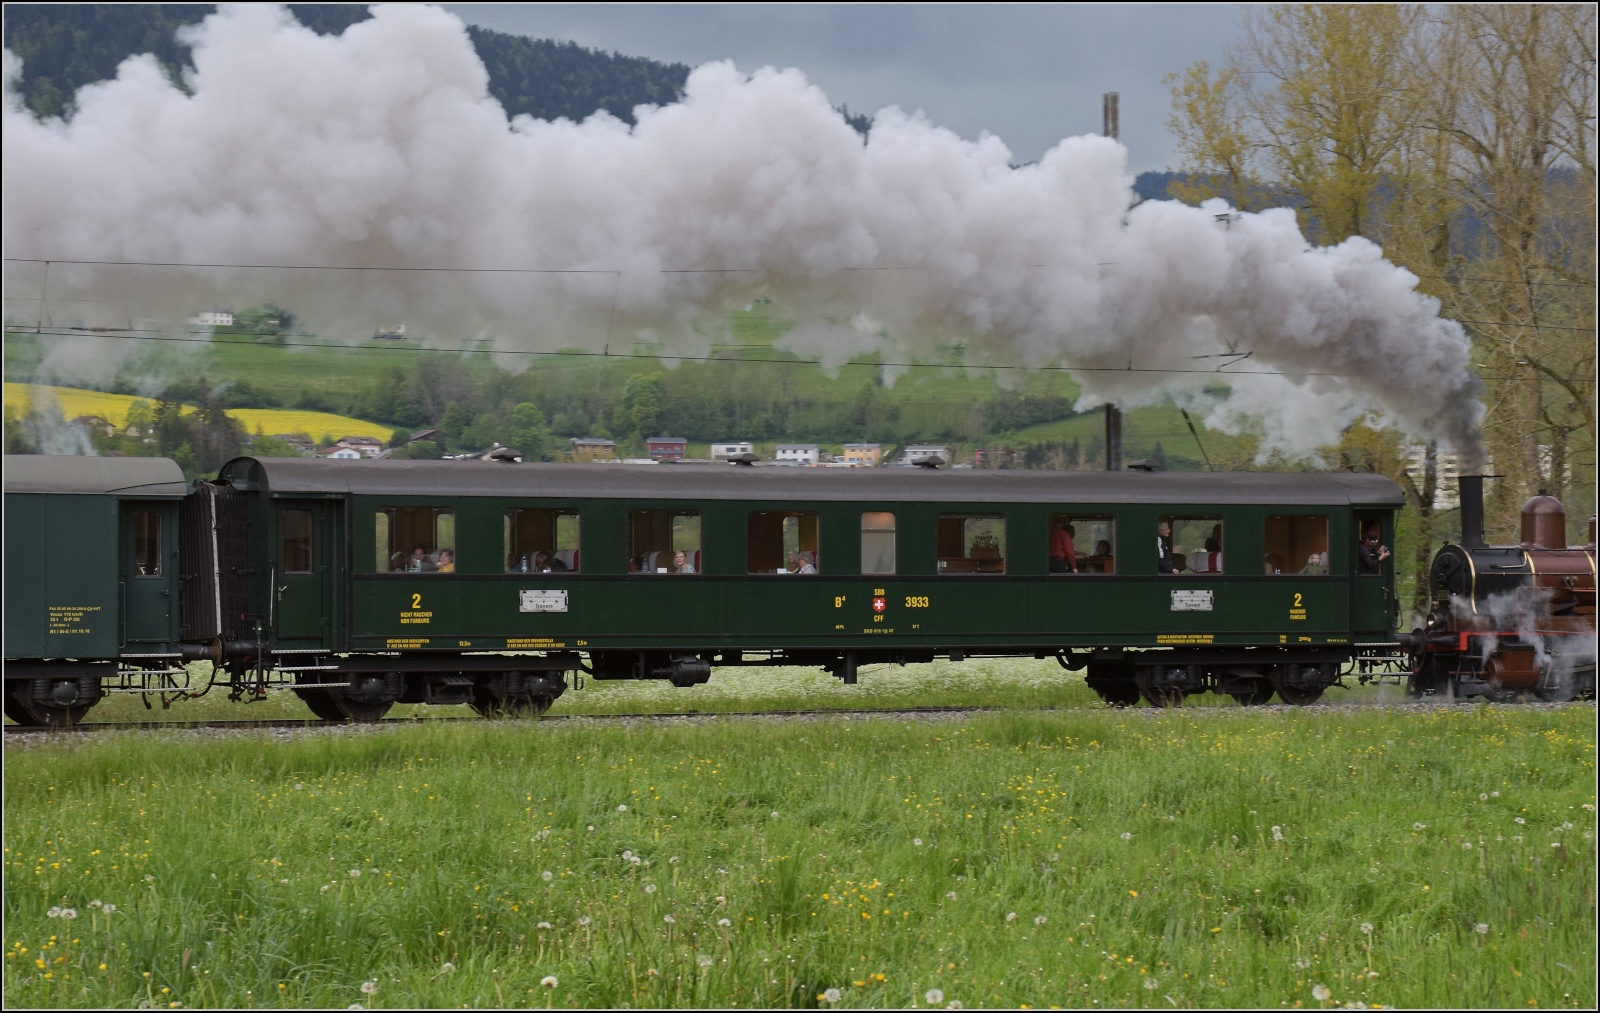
1508, 620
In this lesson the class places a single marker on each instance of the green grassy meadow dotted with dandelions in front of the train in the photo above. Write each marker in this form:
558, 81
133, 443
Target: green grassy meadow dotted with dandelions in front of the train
1199, 857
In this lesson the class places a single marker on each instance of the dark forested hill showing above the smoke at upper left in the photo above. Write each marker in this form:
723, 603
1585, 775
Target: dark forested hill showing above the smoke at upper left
68, 46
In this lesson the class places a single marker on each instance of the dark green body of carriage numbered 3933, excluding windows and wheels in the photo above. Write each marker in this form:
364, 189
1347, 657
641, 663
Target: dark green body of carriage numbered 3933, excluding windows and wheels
348, 606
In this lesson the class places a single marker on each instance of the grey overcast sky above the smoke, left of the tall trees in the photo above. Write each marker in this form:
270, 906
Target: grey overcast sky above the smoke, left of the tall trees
1030, 74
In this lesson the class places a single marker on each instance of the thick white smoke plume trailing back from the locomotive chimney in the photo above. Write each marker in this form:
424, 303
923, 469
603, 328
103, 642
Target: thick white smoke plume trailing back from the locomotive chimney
382, 148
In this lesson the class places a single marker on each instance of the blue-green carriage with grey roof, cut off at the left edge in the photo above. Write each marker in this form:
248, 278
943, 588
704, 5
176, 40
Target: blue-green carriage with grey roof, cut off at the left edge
90, 579
